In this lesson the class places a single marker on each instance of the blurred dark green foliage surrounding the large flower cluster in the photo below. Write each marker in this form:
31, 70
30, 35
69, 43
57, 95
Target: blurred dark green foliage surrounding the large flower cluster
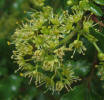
14, 87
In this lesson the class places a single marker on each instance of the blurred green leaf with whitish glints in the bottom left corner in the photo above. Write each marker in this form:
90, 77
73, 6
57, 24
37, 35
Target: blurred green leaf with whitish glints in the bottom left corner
9, 87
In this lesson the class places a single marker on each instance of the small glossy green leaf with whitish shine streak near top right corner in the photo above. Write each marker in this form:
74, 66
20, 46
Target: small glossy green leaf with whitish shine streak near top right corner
96, 10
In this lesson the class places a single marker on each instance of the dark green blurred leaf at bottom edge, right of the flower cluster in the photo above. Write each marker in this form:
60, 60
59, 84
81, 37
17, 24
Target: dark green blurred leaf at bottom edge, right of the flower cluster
82, 92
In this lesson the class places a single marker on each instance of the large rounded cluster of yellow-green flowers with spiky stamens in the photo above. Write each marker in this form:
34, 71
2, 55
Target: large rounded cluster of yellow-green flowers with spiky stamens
42, 41
